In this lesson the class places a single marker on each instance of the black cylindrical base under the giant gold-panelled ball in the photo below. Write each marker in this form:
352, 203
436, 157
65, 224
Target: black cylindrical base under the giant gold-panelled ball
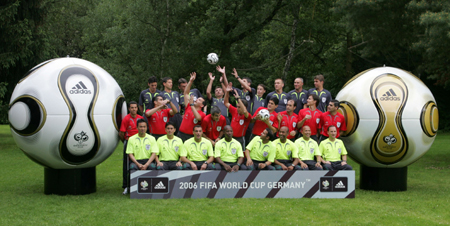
383, 179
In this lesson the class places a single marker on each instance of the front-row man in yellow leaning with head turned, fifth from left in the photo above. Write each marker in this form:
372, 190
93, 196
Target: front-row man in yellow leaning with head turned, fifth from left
260, 152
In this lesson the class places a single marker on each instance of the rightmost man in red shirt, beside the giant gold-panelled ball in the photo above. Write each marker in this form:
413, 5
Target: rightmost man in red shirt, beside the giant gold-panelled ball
332, 118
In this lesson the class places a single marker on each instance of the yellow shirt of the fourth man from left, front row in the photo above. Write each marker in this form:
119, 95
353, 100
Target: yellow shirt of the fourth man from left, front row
228, 151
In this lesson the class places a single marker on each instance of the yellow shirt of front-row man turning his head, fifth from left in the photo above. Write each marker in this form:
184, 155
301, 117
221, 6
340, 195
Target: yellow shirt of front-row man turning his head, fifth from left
260, 151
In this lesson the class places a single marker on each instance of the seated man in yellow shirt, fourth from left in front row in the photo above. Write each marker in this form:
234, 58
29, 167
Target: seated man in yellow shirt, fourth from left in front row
228, 152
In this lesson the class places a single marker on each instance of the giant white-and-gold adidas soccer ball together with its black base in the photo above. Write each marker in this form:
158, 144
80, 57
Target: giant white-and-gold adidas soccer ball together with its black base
392, 120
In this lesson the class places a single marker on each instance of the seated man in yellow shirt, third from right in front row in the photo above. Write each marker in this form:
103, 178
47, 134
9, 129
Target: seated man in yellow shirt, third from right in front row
286, 157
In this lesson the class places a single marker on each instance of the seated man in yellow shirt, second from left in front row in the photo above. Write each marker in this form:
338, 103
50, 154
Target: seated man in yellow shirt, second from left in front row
170, 147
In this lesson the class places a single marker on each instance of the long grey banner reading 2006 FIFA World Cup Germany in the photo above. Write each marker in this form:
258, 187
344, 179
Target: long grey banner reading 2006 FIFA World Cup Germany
159, 184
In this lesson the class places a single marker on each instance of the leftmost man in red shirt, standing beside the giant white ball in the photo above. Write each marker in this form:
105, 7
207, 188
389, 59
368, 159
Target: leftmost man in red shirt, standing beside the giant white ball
128, 128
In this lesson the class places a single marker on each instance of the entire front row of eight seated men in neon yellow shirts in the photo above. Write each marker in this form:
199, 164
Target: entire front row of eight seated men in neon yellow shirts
262, 153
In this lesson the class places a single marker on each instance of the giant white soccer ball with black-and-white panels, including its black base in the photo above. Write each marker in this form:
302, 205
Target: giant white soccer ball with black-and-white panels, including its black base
65, 114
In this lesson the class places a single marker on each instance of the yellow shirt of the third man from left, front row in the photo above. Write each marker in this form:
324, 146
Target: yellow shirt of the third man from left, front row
197, 151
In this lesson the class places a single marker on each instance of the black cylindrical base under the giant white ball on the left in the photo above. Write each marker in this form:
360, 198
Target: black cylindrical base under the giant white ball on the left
70, 181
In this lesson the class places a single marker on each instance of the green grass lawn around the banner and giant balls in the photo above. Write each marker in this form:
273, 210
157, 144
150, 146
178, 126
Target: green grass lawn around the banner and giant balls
23, 202
